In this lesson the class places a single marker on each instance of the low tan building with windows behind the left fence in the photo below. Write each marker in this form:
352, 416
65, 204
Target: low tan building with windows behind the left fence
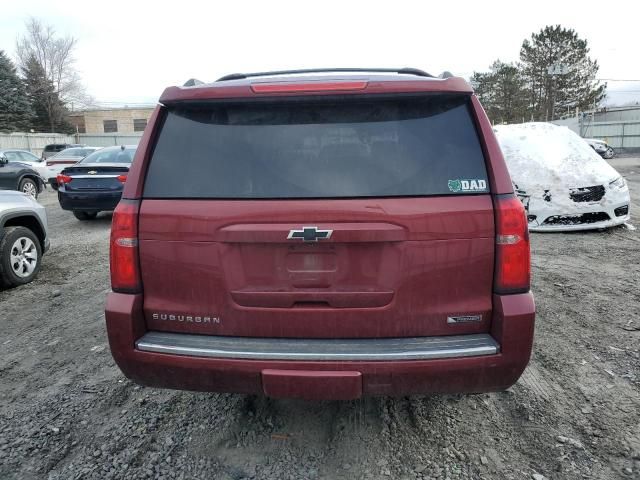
115, 120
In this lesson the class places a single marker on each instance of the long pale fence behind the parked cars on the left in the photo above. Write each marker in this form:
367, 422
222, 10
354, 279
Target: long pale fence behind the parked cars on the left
35, 142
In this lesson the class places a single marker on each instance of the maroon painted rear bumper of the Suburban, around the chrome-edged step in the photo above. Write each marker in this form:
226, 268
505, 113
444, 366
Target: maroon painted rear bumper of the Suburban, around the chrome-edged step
344, 378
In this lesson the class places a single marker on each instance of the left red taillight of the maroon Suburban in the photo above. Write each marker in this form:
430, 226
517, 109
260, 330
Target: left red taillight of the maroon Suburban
123, 254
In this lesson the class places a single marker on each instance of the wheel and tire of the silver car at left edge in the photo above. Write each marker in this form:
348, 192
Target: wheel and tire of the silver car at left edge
20, 256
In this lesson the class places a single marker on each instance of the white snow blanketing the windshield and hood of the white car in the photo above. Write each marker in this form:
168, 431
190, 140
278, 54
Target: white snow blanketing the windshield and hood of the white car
543, 156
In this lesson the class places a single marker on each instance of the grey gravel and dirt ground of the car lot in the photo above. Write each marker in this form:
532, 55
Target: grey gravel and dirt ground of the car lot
66, 411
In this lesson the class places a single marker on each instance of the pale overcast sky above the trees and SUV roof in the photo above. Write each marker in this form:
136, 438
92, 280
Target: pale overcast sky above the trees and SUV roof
128, 51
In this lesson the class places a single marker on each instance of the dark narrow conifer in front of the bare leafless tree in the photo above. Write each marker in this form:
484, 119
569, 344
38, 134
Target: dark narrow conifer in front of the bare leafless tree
49, 110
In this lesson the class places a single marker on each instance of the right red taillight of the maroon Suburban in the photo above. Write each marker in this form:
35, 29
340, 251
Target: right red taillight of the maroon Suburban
513, 256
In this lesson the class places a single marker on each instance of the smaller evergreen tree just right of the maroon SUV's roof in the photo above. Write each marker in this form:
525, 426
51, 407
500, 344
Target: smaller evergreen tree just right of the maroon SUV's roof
503, 93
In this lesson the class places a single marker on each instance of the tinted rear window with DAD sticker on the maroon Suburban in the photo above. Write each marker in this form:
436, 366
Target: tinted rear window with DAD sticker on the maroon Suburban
319, 149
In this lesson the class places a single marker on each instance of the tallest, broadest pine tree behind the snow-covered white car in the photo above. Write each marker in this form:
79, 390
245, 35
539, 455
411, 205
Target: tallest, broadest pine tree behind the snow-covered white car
560, 73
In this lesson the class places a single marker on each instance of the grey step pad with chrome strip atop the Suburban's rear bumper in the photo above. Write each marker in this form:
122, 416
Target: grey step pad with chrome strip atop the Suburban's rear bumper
374, 349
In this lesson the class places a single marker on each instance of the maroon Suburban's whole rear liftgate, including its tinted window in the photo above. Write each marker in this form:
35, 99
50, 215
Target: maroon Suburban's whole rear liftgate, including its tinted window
318, 219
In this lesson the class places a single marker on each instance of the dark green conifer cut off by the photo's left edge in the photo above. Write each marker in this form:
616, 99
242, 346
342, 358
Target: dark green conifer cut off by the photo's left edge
15, 109
